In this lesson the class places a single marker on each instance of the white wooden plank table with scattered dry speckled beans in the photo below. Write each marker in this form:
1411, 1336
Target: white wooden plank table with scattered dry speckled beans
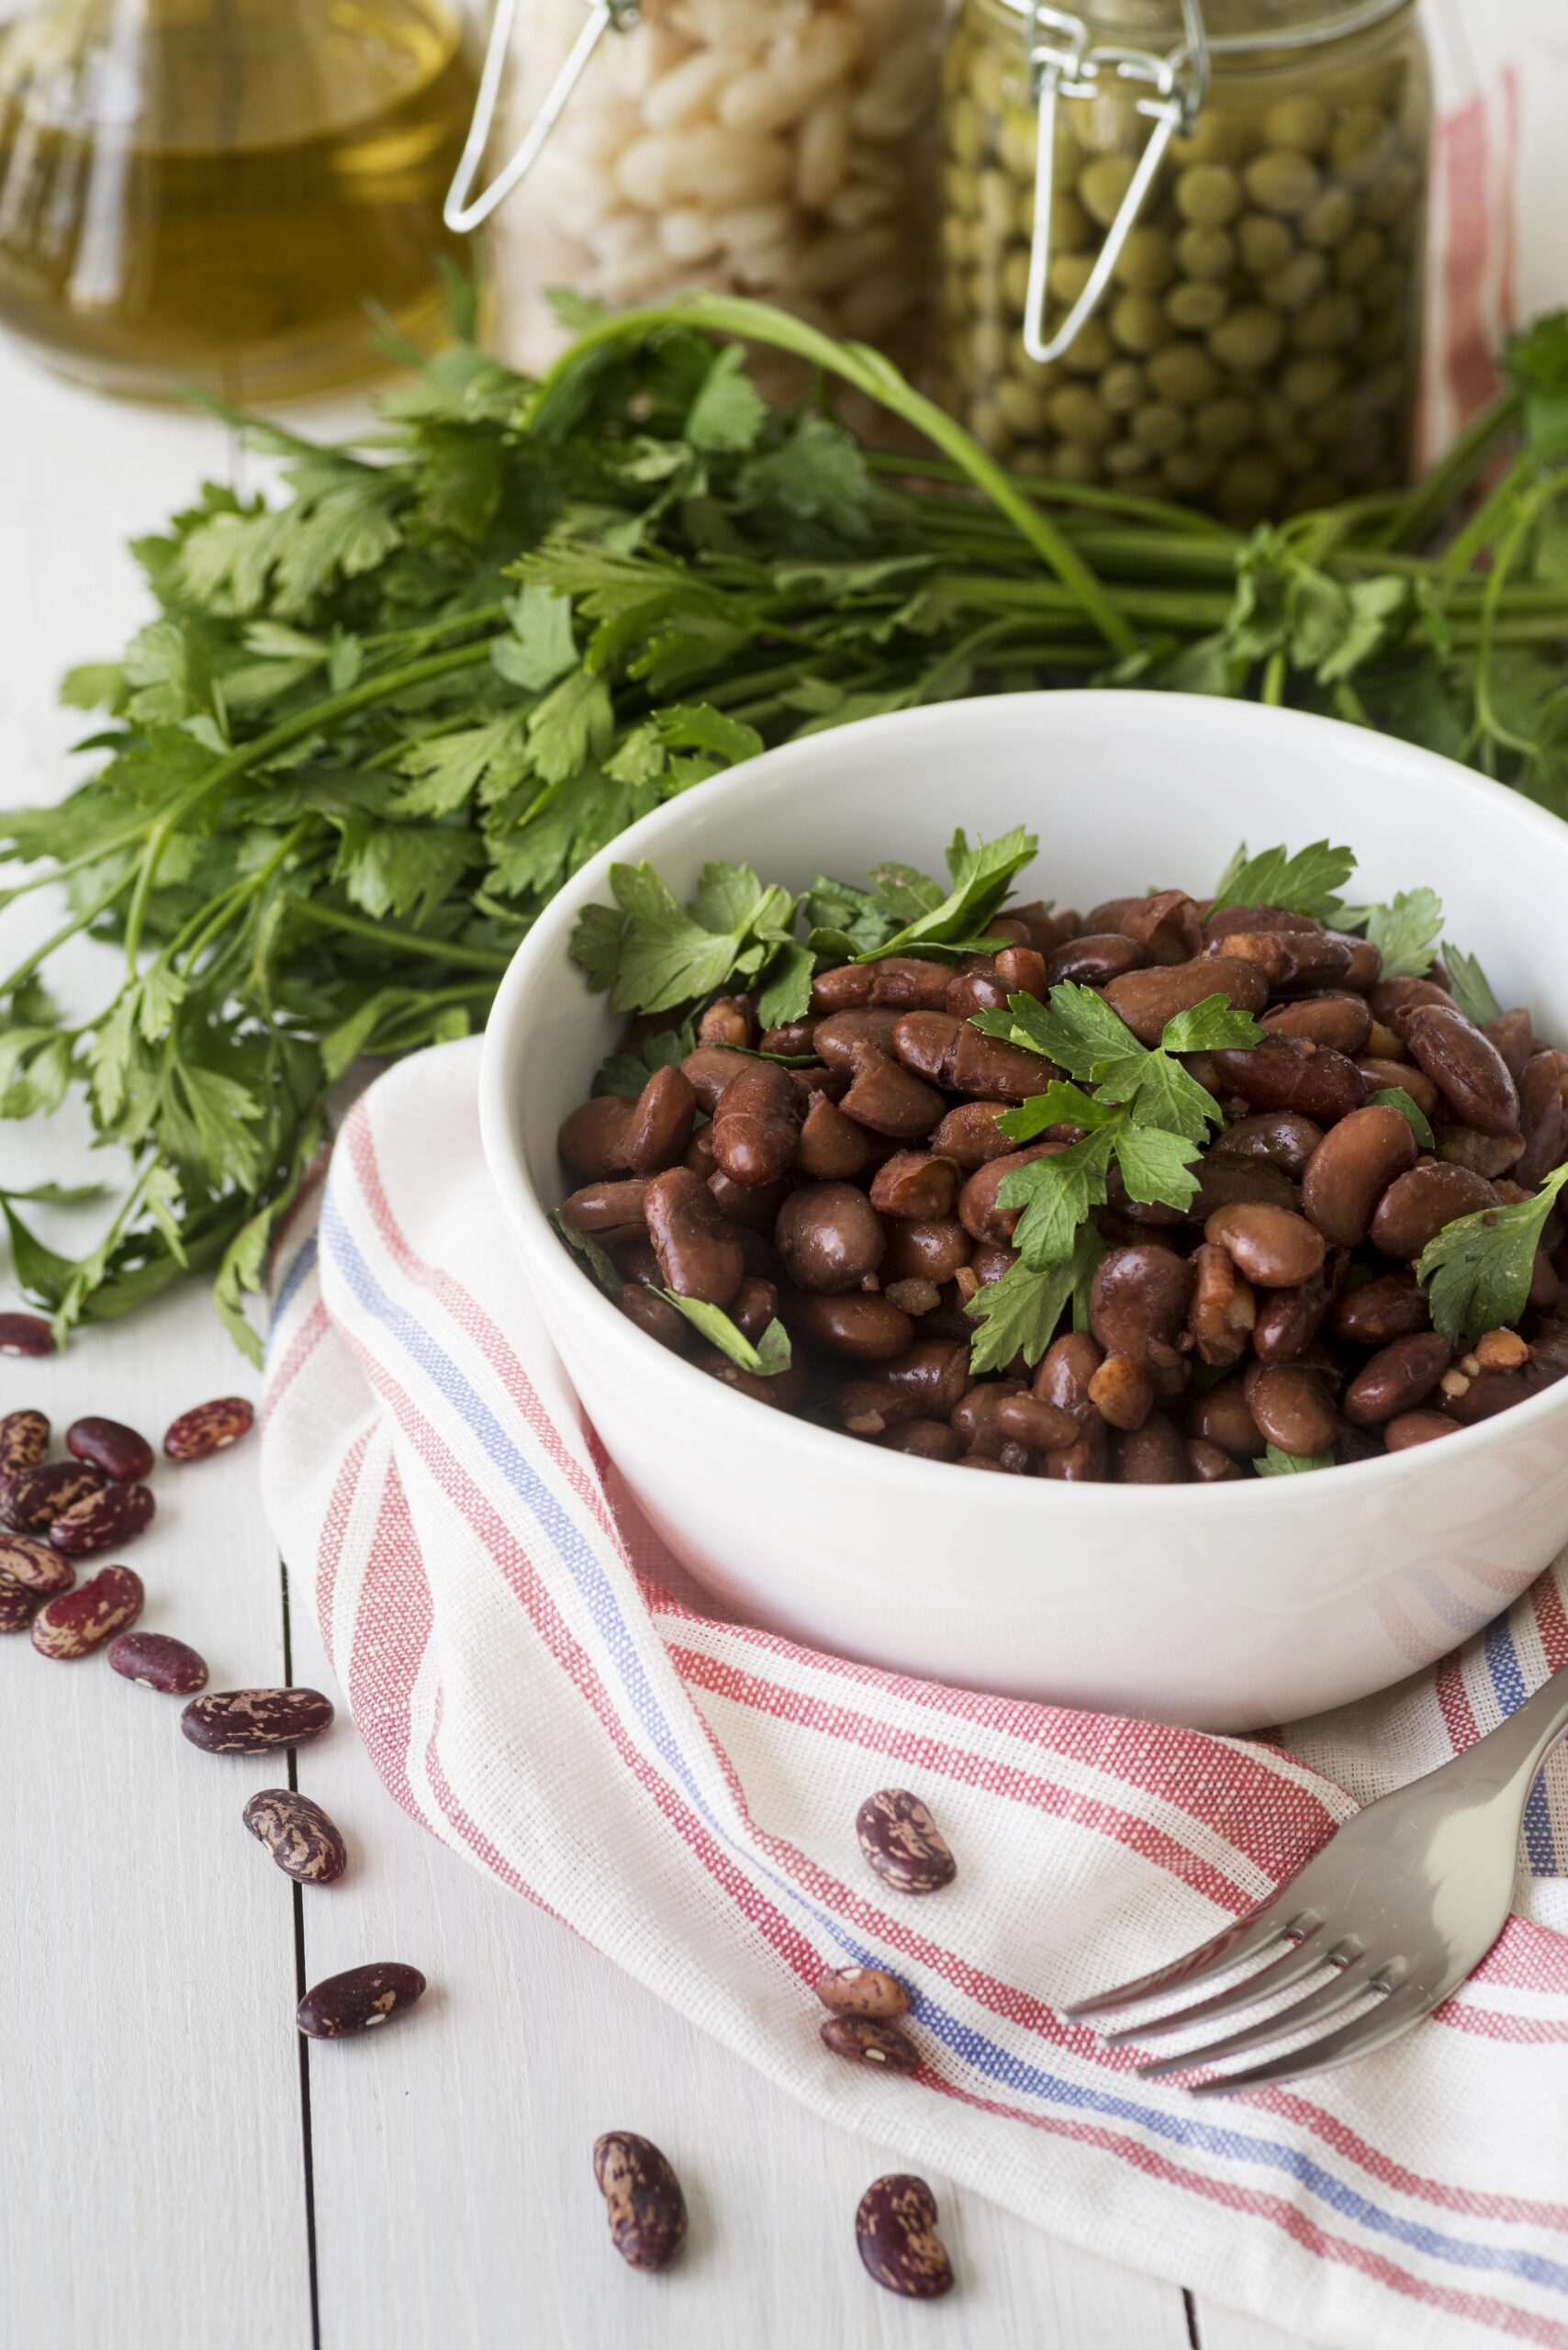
175, 2163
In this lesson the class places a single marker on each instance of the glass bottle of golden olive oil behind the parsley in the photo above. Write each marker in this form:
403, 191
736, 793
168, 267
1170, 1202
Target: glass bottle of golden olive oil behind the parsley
227, 194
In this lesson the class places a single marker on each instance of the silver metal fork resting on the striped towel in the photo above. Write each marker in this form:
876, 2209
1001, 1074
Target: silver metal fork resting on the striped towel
1402, 1902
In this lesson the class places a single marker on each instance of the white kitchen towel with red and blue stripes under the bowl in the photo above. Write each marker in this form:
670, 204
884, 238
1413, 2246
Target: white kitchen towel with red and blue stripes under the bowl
542, 1691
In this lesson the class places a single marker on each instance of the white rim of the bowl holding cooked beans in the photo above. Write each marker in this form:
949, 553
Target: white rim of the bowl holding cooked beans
704, 807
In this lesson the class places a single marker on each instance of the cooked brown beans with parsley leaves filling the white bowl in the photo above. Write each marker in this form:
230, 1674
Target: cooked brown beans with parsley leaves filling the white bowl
1181, 1190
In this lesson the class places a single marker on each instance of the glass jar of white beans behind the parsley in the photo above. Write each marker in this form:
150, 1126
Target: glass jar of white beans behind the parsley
782, 149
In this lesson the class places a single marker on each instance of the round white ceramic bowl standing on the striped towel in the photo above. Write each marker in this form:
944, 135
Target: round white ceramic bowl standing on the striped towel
1226, 1606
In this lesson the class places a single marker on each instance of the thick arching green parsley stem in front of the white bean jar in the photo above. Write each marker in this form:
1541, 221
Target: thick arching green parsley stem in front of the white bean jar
880, 380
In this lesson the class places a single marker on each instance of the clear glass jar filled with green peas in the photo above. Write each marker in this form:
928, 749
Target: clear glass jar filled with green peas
1184, 246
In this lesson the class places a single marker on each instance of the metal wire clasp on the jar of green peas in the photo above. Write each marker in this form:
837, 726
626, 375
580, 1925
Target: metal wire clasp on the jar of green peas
1066, 67
